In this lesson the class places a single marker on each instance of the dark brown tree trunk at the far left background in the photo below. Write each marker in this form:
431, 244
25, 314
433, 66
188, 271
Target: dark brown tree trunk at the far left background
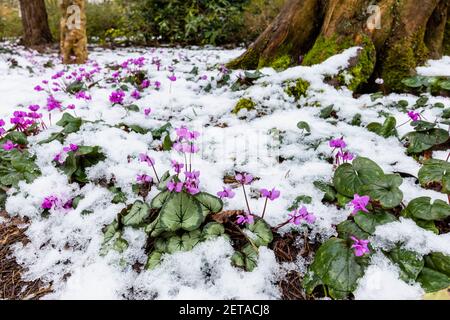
35, 23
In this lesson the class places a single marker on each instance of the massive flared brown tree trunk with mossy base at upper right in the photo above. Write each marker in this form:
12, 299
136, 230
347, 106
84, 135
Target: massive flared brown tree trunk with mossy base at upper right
394, 35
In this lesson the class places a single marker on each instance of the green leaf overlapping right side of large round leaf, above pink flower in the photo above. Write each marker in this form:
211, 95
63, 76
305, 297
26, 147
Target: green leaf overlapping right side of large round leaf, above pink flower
385, 190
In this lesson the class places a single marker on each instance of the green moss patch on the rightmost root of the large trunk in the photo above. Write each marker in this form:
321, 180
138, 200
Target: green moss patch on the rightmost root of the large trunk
402, 60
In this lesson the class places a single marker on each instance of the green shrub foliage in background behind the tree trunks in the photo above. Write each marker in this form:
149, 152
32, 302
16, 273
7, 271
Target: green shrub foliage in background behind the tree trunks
152, 22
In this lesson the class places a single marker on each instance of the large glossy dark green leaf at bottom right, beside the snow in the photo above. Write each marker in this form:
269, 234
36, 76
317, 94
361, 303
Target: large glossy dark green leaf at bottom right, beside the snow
336, 266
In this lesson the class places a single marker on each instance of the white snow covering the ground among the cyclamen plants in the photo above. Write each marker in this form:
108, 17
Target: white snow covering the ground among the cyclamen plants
64, 248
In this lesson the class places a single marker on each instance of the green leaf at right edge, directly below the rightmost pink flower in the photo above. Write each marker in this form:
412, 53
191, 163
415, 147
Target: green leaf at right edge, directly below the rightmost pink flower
419, 142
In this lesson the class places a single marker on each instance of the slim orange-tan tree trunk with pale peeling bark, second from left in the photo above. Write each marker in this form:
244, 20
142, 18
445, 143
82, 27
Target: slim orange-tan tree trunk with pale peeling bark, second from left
73, 31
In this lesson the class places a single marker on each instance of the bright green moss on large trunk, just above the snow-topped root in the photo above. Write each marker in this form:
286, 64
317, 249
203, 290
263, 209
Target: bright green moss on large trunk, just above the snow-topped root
325, 48
